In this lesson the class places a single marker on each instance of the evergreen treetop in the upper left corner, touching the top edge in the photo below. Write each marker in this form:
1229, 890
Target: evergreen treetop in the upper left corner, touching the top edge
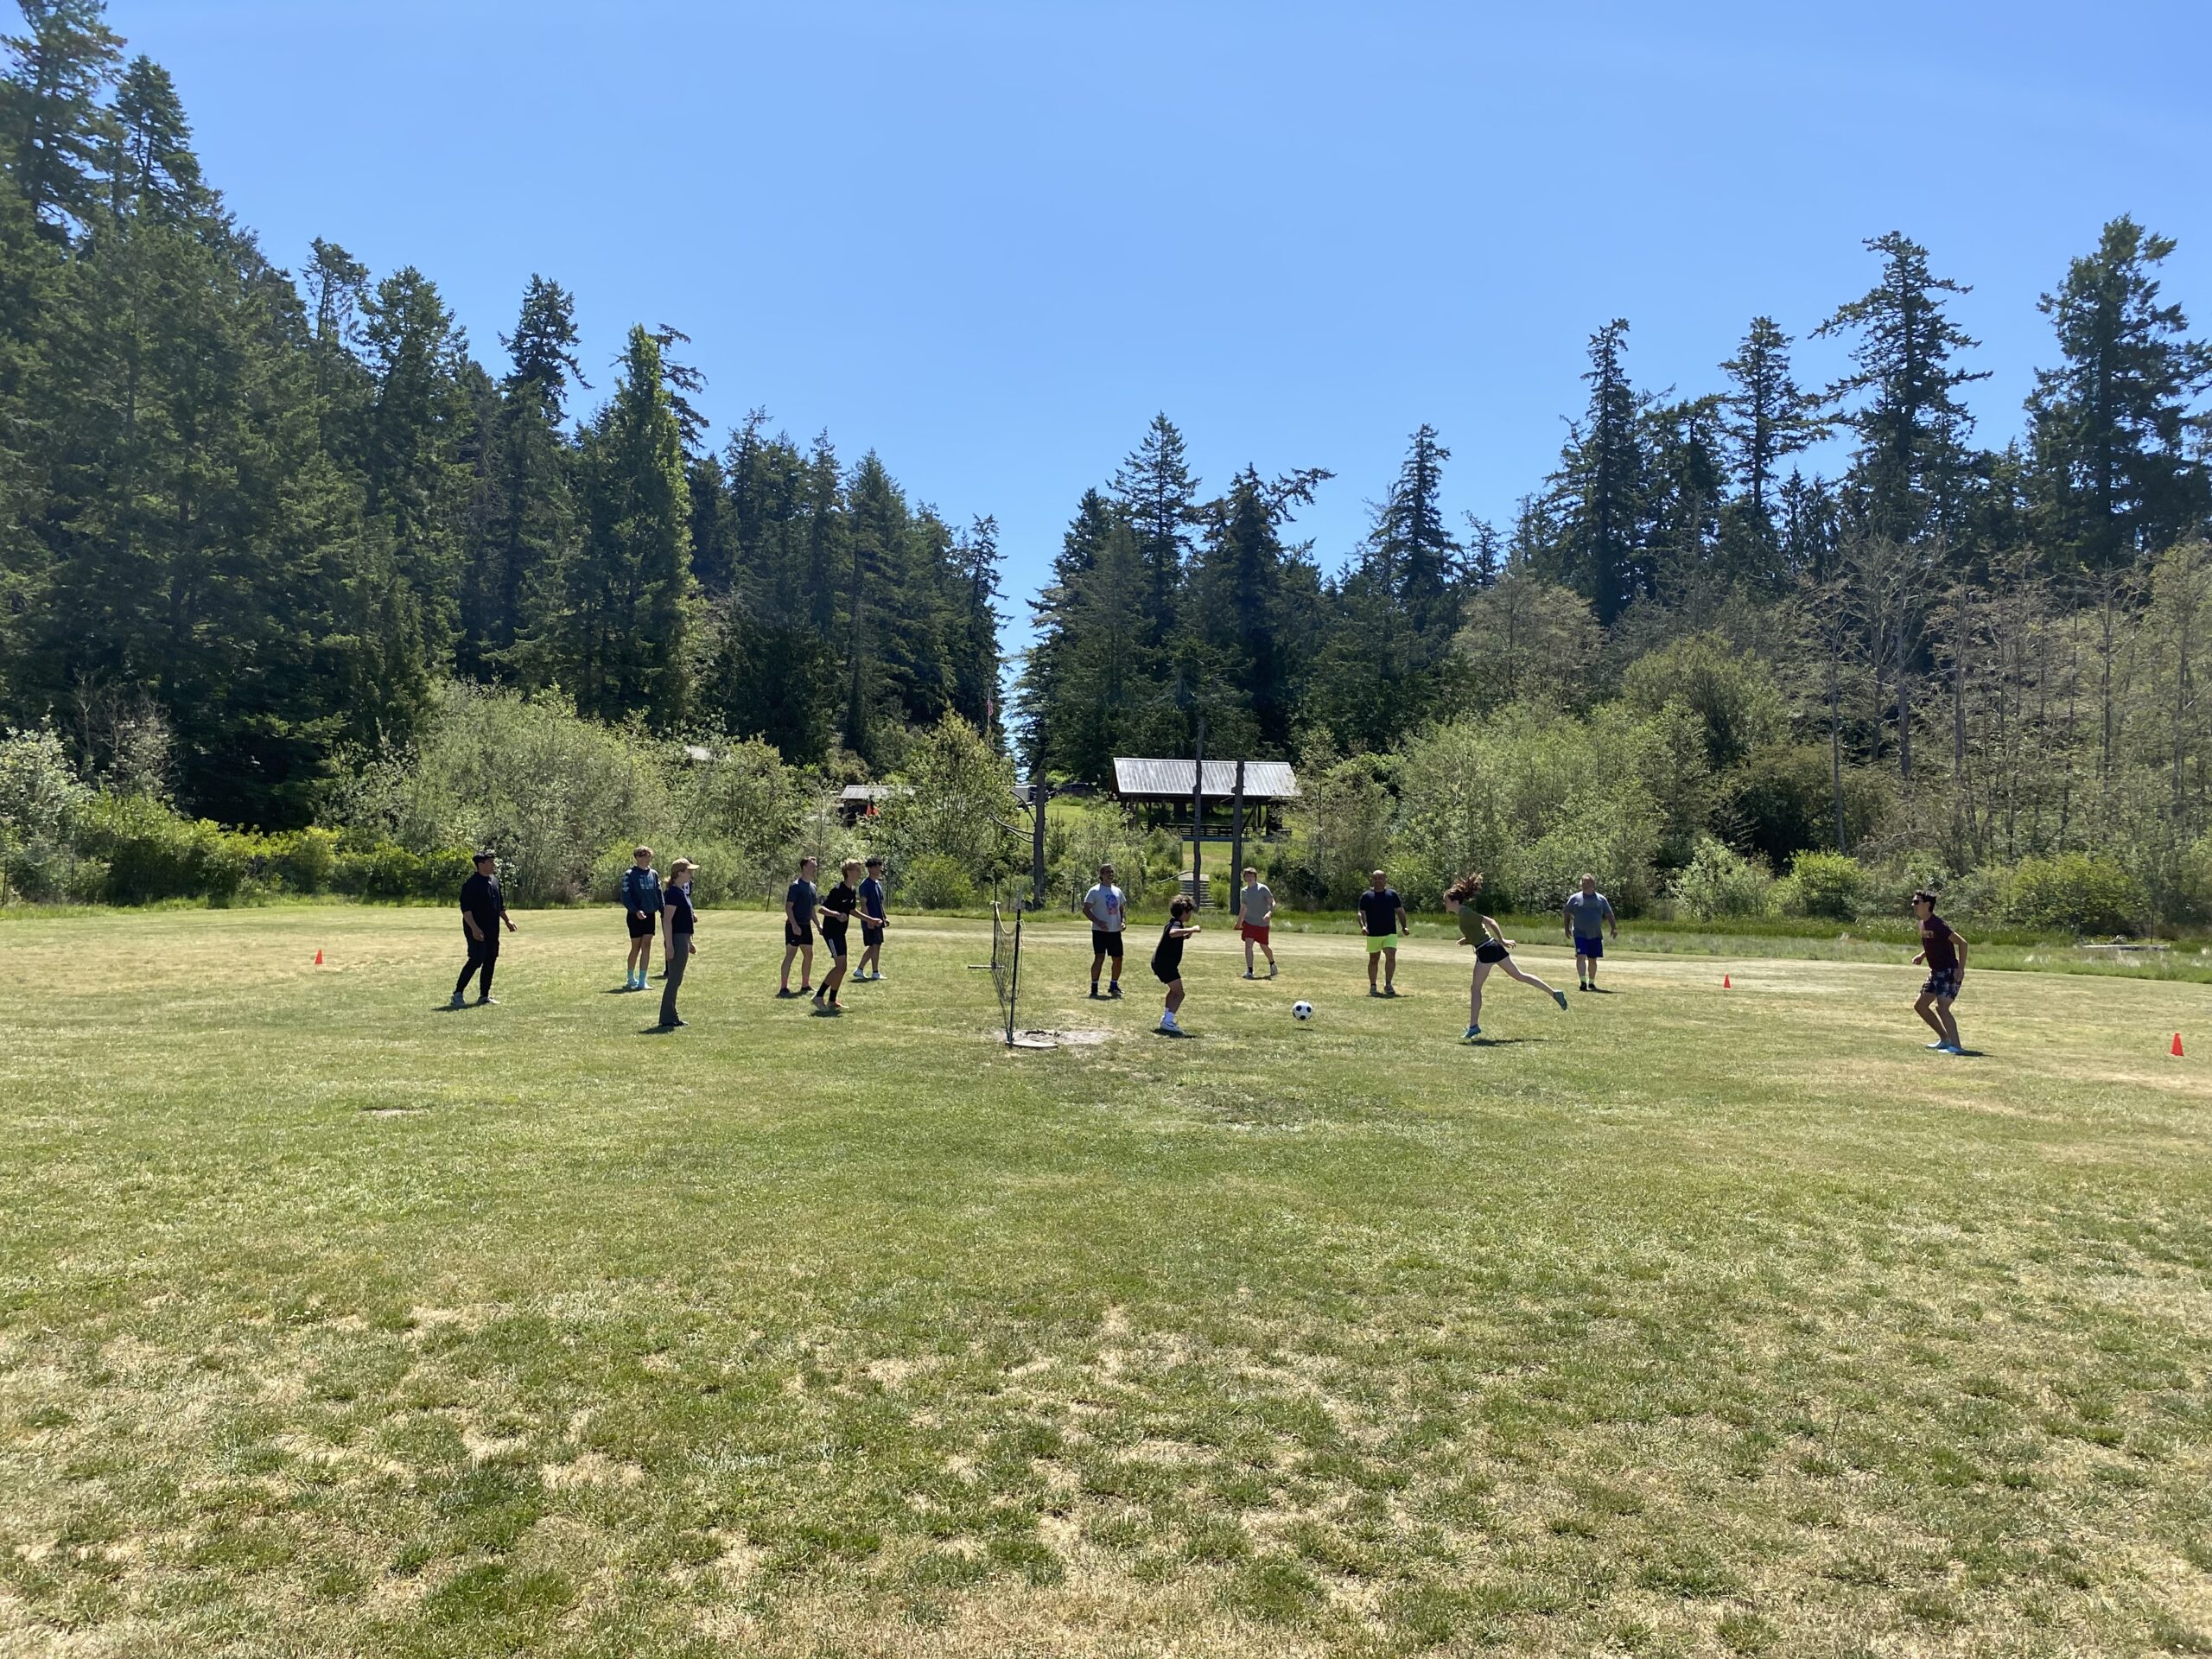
52, 121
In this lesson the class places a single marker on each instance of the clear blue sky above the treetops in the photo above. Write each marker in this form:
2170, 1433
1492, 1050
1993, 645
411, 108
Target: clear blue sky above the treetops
992, 240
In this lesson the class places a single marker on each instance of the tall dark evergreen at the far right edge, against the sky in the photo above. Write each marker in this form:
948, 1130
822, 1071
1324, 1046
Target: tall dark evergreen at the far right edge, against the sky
2114, 477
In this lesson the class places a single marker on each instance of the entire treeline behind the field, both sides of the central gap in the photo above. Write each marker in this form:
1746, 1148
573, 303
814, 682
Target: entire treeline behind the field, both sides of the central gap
251, 521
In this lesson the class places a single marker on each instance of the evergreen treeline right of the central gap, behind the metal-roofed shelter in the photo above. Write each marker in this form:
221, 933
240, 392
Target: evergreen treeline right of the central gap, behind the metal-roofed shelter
1957, 654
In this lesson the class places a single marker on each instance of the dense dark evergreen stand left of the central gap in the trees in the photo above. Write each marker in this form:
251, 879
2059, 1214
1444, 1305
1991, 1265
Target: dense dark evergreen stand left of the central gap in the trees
255, 517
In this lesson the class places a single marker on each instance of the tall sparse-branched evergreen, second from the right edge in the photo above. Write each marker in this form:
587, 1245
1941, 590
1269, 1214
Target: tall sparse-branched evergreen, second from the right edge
1912, 426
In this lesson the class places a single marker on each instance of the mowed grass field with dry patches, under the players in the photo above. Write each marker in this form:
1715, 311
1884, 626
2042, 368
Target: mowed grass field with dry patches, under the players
1687, 1322
